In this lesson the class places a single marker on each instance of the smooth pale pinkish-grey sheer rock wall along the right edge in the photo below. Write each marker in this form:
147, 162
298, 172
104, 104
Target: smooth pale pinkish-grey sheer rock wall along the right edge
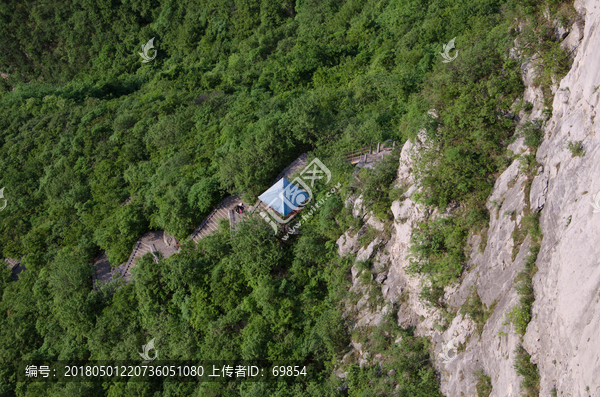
564, 336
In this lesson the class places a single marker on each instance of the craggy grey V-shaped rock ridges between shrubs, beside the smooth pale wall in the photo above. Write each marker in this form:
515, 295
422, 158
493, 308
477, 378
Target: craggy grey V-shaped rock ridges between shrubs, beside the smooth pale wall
490, 273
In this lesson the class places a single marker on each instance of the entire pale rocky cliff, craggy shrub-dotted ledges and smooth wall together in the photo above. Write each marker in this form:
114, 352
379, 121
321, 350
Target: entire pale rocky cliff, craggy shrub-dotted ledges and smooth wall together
563, 337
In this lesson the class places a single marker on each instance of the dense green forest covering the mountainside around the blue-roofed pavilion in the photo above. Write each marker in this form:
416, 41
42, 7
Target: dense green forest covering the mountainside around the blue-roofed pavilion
237, 91
